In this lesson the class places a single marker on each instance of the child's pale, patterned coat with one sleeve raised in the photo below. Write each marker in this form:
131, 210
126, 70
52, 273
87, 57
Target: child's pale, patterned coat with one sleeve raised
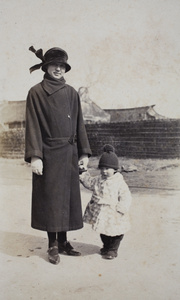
108, 210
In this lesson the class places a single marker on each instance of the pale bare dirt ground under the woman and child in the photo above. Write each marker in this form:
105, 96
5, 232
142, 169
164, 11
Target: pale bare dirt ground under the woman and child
148, 264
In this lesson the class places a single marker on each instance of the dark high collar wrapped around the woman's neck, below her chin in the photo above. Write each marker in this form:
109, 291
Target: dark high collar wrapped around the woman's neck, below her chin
51, 85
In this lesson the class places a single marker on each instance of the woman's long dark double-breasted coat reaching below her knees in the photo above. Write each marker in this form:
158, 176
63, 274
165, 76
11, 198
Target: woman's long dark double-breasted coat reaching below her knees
55, 132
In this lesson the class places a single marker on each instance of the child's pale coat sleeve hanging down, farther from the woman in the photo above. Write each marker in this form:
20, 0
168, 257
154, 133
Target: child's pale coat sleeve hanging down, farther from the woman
124, 198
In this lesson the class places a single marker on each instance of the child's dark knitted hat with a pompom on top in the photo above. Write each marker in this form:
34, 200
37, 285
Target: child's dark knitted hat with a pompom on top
109, 159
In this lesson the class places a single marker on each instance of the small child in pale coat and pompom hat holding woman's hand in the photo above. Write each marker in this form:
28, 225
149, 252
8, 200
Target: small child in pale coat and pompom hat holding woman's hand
107, 211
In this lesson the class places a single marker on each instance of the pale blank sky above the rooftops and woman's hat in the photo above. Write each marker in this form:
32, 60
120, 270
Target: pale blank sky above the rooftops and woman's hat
127, 52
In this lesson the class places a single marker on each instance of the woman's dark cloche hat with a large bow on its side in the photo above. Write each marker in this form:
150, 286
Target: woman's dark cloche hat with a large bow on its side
53, 55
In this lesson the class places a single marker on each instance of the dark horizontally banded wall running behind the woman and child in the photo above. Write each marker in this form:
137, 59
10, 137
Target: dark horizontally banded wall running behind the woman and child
143, 139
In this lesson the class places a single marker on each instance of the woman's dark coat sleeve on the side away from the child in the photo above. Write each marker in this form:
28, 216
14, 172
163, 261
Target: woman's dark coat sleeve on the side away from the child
33, 137
